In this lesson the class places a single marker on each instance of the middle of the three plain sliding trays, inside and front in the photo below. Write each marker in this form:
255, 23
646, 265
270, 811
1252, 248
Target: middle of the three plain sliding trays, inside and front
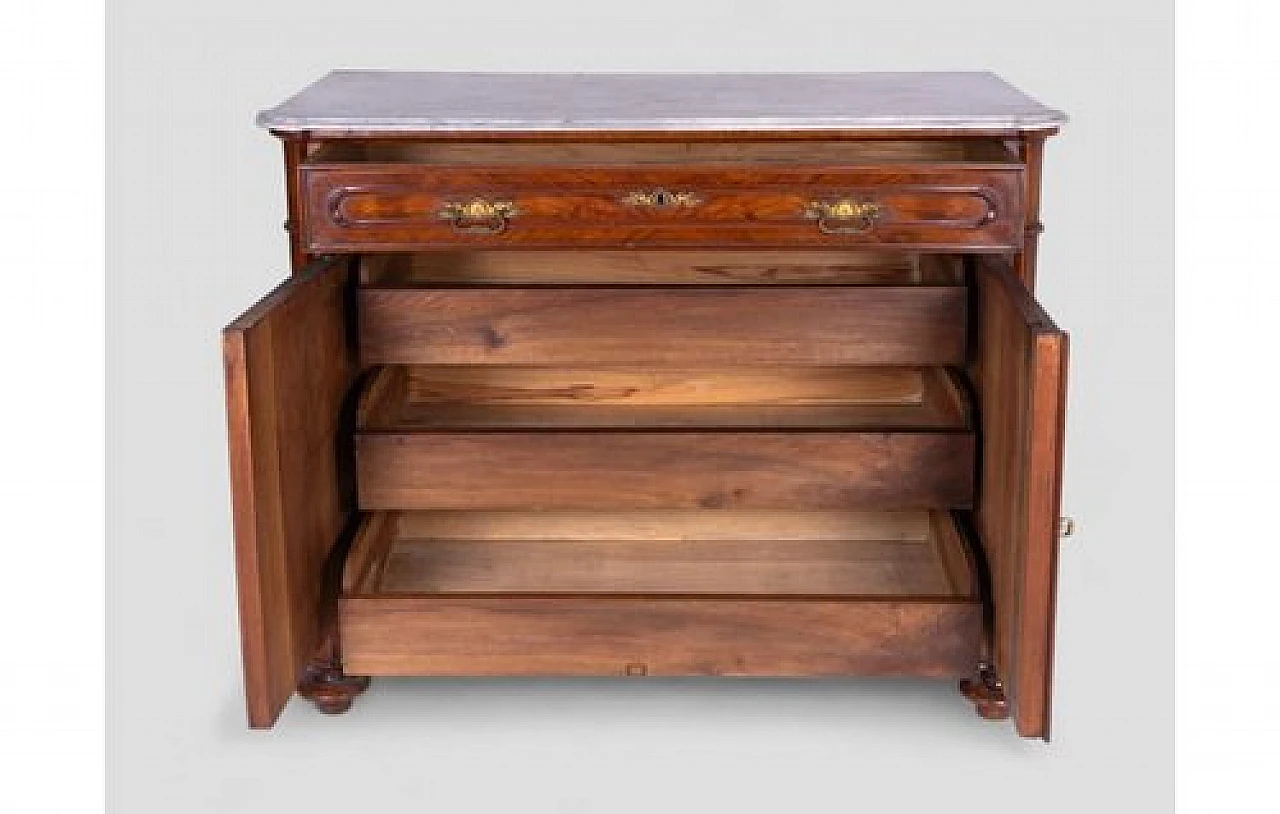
819, 438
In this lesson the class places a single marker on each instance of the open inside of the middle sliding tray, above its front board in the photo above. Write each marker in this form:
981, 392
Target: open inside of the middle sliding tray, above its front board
405, 399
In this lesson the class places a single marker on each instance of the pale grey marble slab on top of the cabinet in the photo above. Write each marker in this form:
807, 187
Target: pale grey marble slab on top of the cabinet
404, 102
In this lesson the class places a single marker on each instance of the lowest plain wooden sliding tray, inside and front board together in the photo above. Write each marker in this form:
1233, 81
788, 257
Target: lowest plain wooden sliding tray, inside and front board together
660, 593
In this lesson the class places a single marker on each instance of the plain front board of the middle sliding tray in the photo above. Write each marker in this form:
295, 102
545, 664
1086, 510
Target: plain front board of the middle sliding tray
665, 470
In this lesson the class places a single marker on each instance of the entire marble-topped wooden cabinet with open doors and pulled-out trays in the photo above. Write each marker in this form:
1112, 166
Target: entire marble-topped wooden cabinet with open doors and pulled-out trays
652, 376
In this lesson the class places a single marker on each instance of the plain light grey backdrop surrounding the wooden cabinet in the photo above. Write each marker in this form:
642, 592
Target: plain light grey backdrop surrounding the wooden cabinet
195, 209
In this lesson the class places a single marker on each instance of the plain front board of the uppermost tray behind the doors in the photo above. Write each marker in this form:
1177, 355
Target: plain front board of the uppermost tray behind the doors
752, 326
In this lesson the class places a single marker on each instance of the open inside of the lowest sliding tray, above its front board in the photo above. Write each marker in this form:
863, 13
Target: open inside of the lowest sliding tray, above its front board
847, 554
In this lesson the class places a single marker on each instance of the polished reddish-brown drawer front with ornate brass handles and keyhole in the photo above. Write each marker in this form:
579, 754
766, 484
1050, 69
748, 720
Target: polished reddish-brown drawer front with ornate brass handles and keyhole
397, 208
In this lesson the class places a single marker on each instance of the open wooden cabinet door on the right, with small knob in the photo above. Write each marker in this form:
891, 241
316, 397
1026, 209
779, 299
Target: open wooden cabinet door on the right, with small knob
1021, 376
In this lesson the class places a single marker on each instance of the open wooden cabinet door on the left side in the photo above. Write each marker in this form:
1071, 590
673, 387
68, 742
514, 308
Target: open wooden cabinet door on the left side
290, 364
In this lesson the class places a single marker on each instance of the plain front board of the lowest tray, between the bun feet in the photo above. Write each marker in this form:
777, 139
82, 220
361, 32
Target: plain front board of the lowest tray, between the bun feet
659, 637
